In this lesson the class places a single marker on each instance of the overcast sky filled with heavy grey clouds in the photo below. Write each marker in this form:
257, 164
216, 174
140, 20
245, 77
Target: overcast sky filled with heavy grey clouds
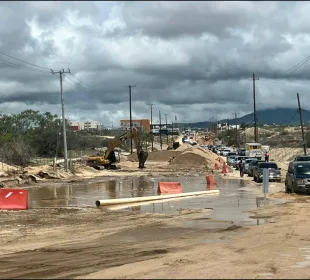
194, 60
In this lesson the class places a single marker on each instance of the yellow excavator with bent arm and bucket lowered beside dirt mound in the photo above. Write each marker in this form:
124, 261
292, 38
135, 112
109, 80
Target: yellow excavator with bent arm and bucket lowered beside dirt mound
109, 159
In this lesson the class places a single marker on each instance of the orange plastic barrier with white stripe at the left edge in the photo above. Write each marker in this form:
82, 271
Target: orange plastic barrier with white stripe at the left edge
13, 199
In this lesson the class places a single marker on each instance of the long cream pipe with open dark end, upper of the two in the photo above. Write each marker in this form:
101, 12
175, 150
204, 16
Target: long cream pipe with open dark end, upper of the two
149, 198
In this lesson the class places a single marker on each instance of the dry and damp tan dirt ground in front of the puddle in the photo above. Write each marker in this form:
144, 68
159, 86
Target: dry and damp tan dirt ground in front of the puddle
42, 243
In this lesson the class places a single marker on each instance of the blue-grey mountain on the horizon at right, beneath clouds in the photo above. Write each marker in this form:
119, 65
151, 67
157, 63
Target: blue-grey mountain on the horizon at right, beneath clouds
268, 116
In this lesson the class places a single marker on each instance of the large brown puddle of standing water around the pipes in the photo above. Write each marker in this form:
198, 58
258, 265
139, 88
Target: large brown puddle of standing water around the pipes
230, 205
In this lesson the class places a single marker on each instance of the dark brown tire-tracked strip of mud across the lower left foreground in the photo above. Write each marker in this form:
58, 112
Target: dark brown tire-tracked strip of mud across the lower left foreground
89, 256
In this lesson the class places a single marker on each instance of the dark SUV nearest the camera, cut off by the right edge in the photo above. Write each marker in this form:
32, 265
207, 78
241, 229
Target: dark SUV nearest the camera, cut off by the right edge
298, 177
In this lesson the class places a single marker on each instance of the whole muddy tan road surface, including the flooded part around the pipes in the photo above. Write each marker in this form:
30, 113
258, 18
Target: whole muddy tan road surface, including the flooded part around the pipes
188, 238
